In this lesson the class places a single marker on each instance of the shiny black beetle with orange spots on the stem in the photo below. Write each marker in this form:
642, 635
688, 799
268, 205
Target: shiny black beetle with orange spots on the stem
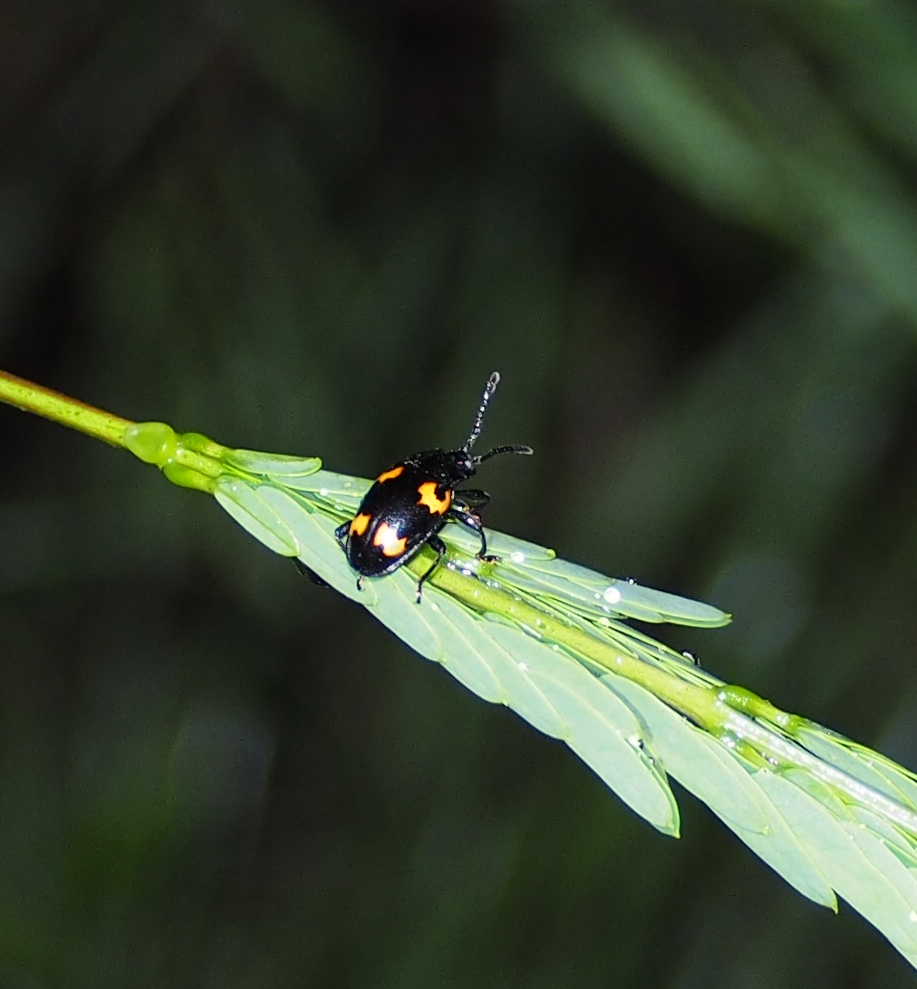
409, 504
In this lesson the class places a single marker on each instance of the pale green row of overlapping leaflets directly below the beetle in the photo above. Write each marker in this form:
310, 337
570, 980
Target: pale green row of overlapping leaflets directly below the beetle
498, 662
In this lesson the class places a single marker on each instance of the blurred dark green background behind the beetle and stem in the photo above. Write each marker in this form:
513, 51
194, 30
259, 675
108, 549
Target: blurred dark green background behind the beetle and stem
685, 234
